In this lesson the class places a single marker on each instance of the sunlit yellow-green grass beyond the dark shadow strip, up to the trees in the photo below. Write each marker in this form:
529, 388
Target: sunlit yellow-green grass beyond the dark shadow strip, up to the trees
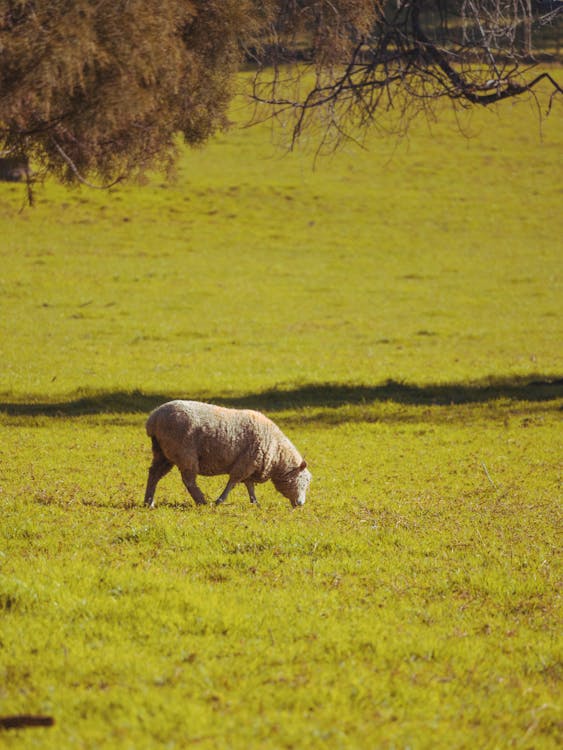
433, 259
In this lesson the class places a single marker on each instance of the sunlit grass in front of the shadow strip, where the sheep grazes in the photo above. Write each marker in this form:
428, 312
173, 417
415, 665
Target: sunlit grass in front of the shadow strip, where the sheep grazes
413, 601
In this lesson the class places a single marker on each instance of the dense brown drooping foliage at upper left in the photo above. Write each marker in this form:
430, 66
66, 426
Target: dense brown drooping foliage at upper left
102, 87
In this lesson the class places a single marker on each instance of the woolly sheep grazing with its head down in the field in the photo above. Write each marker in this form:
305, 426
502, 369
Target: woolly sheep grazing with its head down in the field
210, 440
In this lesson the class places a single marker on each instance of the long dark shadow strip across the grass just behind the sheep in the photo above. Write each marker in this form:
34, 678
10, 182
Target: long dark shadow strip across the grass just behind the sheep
328, 395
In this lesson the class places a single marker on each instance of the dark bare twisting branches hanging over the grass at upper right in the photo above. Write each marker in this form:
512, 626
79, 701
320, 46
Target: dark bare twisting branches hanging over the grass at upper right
475, 56
